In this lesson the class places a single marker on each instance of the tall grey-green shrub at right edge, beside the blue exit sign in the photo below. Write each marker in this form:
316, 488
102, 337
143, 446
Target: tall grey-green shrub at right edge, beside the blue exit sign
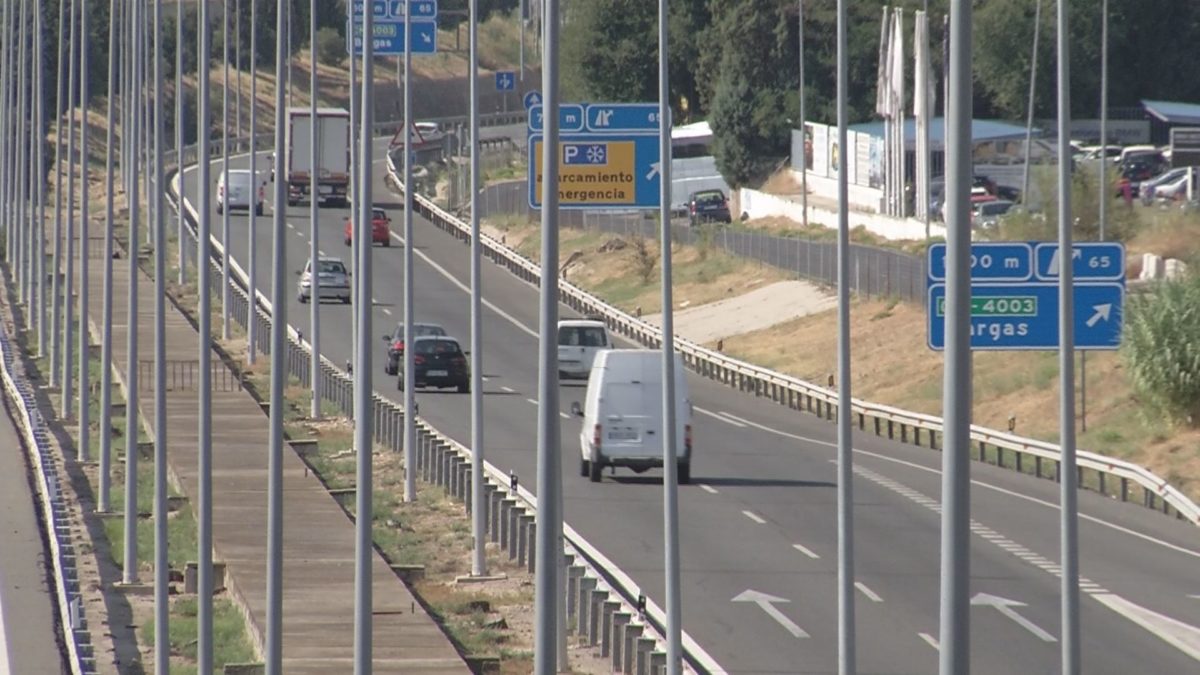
1162, 349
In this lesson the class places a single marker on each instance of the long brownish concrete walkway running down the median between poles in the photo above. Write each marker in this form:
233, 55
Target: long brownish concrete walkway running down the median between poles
319, 537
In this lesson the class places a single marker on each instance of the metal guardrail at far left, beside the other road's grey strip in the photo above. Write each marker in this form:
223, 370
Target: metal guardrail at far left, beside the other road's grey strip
53, 511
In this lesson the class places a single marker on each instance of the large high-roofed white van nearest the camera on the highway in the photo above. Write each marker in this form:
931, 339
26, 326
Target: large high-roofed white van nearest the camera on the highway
623, 415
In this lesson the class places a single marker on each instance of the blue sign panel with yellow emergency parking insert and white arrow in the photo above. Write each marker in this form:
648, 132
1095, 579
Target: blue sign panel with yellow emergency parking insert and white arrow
602, 171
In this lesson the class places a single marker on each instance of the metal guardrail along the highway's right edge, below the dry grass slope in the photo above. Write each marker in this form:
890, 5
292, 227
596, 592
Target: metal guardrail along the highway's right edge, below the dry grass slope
1109, 476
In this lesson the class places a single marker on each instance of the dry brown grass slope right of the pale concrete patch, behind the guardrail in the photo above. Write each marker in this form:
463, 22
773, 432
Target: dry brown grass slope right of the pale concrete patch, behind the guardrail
892, 366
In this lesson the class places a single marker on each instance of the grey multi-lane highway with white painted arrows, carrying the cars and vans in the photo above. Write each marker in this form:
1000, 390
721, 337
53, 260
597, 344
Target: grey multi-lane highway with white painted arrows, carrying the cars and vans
759, 527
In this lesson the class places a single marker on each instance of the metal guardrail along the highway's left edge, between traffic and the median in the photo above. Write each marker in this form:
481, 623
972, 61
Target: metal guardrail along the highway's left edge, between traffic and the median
602, 600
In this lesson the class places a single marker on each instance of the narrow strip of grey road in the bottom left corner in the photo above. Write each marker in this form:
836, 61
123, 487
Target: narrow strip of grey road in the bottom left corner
29, 636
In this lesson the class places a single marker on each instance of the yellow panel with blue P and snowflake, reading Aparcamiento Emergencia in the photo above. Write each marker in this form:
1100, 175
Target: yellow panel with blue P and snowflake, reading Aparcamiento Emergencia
592, 172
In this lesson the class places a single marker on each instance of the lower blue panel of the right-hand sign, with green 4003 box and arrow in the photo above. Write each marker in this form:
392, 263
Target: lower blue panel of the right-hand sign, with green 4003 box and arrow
1025, 316
